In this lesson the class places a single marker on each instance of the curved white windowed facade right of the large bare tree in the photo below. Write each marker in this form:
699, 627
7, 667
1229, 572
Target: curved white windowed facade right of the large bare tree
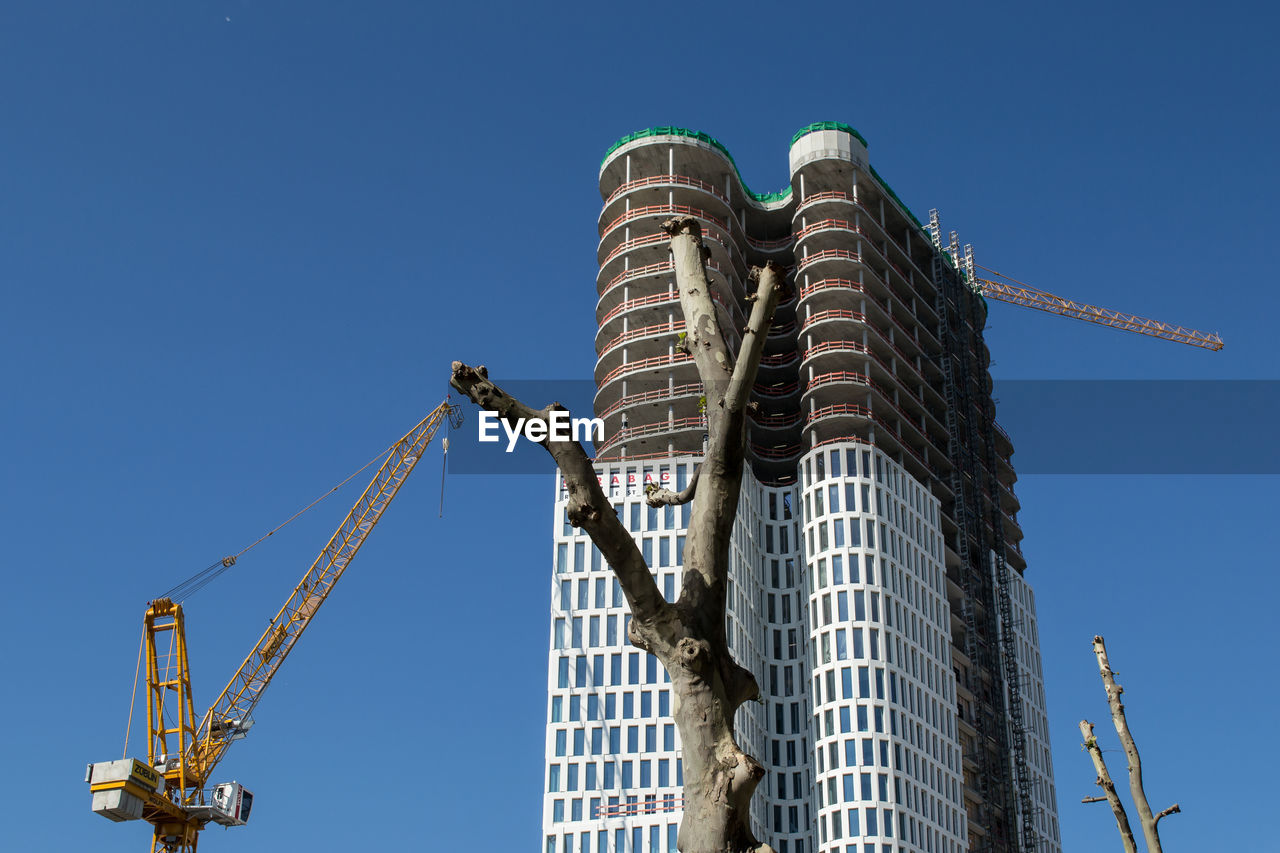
889, 774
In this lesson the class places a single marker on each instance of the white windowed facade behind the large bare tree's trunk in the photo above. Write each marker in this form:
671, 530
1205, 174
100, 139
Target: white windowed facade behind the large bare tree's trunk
614, 760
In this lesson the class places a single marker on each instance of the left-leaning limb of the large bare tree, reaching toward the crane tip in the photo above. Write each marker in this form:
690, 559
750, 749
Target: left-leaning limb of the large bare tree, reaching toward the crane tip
588, 505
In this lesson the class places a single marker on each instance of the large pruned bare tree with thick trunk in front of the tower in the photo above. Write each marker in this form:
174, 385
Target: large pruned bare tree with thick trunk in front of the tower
688, 636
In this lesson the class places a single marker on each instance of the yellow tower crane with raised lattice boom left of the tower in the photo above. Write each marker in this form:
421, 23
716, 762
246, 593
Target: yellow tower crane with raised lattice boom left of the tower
171, 790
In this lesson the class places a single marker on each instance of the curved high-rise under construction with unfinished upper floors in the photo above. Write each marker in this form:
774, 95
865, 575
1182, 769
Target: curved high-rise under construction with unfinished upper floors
877, 586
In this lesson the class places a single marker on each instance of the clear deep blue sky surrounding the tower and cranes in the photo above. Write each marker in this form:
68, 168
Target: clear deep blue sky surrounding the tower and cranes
241, 243
